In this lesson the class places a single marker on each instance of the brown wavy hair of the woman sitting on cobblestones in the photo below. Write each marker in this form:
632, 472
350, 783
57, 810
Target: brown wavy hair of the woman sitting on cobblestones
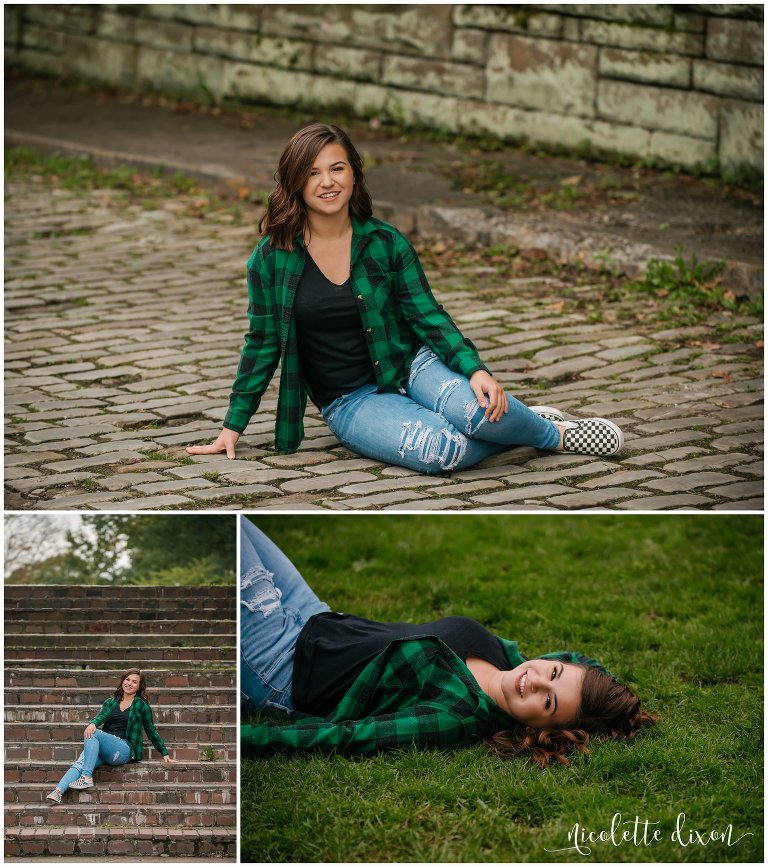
286, 214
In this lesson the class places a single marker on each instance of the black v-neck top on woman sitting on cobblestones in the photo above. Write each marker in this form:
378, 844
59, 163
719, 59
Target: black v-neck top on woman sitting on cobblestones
333, 350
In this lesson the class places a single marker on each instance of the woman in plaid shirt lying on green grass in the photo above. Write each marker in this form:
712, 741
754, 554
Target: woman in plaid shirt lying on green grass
356, 686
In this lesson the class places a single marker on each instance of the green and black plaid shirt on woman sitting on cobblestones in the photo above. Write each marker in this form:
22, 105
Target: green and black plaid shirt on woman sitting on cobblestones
397, 308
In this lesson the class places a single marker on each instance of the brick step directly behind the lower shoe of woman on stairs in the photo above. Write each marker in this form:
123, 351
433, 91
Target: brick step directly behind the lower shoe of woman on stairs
127, 794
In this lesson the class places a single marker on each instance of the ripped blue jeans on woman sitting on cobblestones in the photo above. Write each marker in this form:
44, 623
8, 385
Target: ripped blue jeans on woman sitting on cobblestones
436, 425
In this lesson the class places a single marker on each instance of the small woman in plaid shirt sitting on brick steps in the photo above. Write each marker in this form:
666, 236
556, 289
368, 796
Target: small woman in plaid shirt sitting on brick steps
119, 739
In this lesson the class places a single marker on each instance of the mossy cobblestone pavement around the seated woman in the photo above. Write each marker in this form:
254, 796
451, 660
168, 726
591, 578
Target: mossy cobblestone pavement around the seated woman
123, 327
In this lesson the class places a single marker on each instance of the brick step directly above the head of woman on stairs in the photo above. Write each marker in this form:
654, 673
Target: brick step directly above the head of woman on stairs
136, 656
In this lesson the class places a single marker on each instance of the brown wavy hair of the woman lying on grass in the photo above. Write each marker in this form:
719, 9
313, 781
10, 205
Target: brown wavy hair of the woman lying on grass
609, 709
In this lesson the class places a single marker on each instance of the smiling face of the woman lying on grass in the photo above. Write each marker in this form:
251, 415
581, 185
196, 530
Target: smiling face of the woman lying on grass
543, 692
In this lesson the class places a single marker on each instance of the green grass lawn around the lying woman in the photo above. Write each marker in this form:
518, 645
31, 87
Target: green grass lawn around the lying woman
671, 604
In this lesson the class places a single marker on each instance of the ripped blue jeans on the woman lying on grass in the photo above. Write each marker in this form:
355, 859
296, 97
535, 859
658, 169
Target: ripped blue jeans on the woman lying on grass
275, 603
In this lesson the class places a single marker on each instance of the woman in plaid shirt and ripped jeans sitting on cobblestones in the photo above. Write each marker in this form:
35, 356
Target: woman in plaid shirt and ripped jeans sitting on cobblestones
341, 300
